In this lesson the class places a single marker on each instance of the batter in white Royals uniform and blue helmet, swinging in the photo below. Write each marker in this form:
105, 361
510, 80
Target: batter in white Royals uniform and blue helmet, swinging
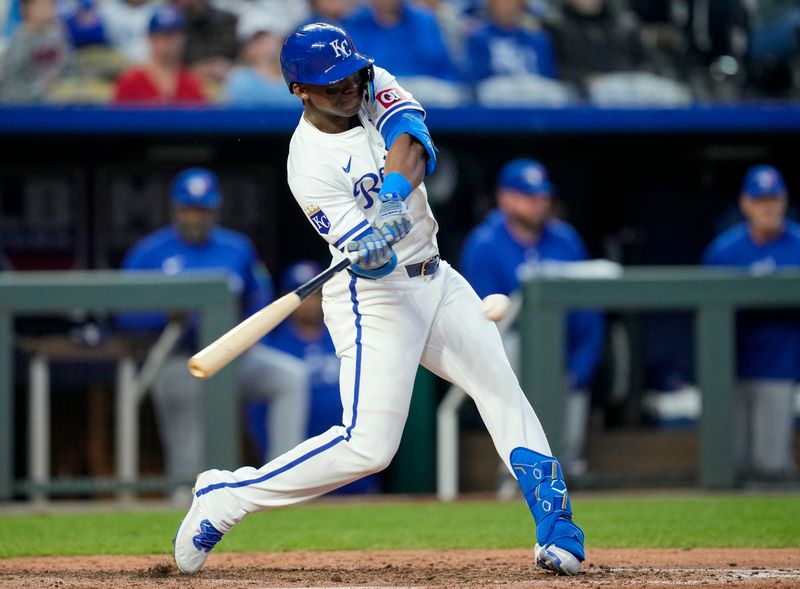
356, 164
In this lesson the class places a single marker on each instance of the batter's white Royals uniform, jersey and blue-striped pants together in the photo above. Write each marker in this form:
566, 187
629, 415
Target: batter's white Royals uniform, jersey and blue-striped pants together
382, 329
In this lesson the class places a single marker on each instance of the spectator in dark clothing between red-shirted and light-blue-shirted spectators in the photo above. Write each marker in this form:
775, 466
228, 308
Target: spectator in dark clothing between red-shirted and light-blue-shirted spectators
211, 44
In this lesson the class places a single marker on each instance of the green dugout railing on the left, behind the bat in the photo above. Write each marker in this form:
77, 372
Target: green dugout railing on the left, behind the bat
52, 293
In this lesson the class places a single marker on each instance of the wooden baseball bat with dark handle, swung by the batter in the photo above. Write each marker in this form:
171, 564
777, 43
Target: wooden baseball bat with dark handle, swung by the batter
221, 352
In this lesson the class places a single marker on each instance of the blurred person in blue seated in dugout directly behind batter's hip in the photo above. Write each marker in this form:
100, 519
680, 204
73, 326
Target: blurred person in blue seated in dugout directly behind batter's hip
304, 336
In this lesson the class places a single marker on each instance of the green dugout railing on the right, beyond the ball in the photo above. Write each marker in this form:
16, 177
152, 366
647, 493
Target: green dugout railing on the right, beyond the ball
712, 295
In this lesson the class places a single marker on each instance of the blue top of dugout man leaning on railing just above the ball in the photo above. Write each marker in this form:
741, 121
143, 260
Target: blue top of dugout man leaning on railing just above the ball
492, 261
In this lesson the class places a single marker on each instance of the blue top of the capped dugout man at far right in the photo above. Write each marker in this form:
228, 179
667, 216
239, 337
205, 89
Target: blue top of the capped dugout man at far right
767, 342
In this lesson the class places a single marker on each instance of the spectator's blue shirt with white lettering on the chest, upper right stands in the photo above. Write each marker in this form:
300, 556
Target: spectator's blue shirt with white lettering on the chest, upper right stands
496, 51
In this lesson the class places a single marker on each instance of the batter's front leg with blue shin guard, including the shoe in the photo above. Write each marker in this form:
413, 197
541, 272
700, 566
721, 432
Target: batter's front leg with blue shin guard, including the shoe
465, 348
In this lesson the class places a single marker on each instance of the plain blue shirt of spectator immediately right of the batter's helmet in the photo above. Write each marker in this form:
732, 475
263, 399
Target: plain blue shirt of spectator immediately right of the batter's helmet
413, 47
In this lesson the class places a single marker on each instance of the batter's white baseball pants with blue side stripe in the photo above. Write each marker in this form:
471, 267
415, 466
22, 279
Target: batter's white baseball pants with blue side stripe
383, 329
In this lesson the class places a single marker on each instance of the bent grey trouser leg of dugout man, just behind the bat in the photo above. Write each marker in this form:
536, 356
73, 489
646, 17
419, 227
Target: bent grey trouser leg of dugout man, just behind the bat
281, 379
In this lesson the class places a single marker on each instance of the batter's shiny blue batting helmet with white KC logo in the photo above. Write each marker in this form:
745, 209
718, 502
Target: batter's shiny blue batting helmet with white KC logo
320, 54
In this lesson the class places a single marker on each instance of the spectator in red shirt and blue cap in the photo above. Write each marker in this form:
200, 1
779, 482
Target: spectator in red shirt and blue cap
163, 78
